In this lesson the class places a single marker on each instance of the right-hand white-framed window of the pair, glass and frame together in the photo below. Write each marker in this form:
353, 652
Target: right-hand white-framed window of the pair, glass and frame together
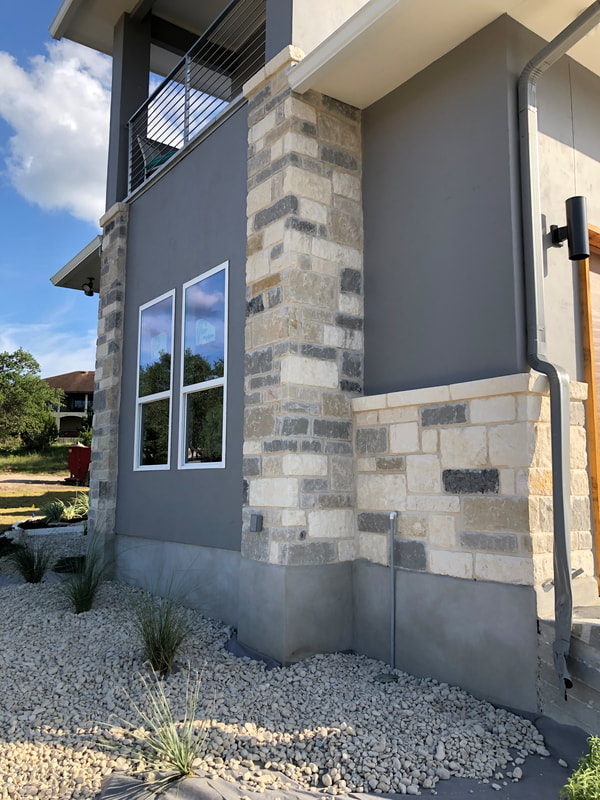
204, 370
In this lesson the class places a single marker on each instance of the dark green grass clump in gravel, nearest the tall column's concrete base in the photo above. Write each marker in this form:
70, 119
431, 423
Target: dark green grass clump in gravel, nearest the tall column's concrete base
162, 627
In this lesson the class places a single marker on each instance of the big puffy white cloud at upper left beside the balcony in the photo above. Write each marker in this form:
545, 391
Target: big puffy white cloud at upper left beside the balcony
58, 107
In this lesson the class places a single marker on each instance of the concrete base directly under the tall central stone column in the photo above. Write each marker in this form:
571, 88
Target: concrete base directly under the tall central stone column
290, 613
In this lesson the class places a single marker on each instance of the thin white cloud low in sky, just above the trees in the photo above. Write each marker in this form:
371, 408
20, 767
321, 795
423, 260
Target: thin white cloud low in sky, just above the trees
55, 348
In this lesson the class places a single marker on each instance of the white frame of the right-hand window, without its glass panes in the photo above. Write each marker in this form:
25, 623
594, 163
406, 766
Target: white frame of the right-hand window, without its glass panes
214, 382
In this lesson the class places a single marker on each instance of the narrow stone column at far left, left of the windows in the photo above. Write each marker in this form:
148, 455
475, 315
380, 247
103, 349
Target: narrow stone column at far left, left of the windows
107, 384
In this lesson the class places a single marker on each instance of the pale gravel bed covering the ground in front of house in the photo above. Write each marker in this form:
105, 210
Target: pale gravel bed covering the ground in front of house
326, 724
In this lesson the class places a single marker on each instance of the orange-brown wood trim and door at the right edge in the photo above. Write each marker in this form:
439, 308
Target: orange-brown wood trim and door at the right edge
589, 290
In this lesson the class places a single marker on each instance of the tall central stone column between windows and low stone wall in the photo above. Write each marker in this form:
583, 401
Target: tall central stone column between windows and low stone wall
304, 340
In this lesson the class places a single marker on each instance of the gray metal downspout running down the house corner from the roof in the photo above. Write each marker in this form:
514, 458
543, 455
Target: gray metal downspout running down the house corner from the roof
536, 326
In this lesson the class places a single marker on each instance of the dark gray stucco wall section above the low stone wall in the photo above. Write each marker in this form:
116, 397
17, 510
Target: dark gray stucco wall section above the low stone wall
443, 275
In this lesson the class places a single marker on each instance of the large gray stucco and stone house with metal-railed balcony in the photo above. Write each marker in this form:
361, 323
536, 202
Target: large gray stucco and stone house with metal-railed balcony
318, 293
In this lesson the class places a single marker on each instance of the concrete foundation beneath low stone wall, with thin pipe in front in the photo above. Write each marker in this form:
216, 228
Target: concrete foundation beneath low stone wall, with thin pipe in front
475, 634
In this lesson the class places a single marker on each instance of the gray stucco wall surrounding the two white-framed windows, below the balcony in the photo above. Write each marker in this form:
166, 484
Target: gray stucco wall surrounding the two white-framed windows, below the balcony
191, 220
